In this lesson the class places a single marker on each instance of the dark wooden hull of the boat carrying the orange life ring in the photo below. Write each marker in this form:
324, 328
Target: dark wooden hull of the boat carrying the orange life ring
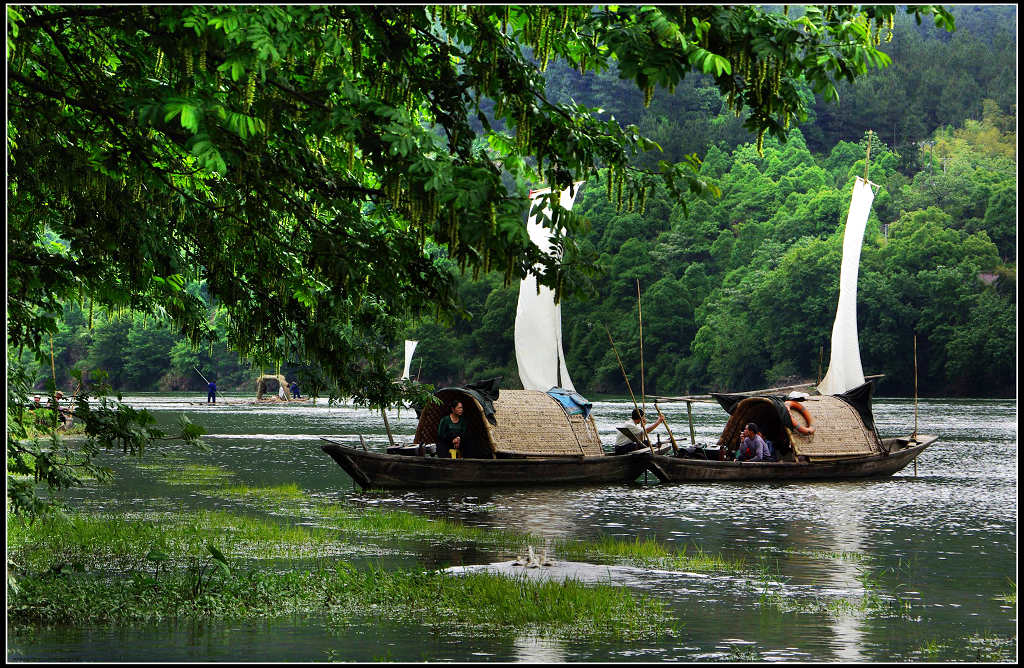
678, 470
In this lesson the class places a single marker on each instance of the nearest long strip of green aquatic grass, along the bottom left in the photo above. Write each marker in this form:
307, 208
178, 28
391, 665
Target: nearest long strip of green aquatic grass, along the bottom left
488, 603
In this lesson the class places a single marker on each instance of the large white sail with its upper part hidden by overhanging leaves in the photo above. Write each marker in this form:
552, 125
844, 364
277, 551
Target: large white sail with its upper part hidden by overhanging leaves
538, 320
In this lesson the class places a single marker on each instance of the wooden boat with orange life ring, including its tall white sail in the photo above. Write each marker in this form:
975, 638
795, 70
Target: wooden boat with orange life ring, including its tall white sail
843, 442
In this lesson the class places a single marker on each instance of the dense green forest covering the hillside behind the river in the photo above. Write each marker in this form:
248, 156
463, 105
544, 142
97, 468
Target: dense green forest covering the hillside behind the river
739, 291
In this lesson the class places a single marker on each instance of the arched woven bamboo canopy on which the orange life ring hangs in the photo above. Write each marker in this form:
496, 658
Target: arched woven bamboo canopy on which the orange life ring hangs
839, 430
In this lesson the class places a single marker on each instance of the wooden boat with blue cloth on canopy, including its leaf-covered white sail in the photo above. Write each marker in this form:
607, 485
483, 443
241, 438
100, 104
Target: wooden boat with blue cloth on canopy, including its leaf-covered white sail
541, 435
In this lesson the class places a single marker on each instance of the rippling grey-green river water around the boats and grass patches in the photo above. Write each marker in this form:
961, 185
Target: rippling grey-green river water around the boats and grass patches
942, 538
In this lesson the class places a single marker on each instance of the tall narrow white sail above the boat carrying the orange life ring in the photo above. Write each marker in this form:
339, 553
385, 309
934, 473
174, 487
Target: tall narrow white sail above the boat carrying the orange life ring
845, 371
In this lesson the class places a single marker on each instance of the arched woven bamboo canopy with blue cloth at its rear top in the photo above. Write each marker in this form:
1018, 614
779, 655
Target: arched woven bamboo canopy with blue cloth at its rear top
529, 424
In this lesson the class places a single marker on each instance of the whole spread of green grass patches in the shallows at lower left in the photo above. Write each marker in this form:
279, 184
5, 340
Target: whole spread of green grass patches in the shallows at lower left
93, 569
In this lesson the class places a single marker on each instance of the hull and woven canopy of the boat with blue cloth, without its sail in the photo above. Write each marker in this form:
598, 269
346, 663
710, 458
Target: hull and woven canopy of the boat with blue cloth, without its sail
528, 438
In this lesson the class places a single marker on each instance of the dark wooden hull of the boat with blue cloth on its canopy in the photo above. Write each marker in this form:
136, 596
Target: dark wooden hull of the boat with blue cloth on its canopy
372, 470
